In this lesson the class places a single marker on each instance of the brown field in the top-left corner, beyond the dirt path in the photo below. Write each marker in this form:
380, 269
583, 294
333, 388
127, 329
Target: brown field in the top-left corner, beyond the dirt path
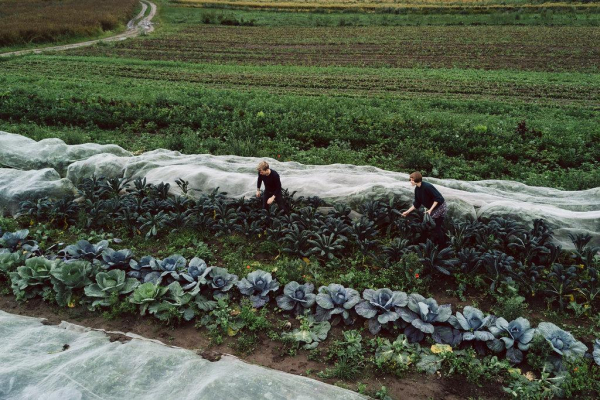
39, 21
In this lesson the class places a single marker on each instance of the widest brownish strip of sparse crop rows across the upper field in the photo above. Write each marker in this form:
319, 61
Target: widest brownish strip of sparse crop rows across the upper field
504, 47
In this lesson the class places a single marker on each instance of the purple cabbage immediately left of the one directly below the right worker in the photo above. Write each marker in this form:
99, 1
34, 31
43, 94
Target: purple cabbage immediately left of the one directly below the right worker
380, 307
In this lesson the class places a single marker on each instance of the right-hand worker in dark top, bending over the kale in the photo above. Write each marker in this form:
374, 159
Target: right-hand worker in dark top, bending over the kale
428, 196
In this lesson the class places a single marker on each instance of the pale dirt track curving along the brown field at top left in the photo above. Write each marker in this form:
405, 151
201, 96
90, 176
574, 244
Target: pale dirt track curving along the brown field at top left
141, 23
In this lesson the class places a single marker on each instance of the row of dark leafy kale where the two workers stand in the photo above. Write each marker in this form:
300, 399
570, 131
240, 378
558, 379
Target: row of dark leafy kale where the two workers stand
500, 250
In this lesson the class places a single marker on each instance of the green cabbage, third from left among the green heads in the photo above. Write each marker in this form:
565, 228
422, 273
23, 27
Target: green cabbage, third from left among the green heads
109, 283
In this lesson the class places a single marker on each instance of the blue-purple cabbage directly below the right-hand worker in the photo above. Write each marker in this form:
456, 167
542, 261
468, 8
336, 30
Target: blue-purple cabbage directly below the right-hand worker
421, 314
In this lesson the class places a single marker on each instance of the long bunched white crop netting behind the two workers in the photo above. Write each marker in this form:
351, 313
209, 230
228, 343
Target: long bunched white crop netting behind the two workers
565, 211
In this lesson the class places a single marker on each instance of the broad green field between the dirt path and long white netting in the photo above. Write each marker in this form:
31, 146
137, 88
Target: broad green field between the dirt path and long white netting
499, 95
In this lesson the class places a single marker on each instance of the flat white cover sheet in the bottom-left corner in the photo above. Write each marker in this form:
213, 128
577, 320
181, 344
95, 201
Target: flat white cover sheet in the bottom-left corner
69, 362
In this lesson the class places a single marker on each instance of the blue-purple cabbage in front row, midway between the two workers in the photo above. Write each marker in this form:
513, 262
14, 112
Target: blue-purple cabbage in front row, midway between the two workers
336, 300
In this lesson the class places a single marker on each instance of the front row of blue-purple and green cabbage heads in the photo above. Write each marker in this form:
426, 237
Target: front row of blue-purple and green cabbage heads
96, 275
